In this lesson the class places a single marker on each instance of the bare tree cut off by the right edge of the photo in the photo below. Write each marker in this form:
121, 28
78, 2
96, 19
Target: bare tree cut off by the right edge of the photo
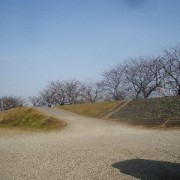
172, 68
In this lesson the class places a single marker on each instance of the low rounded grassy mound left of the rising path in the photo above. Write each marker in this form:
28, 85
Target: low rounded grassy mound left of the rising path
28, 118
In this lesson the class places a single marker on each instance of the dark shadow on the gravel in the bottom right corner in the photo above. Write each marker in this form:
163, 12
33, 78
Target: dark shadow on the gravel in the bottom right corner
149, 170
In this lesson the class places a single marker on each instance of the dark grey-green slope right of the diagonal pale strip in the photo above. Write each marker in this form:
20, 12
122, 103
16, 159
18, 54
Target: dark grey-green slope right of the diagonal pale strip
155, 111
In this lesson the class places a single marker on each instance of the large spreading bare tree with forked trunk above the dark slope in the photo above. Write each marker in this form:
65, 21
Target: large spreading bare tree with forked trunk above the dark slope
145, 75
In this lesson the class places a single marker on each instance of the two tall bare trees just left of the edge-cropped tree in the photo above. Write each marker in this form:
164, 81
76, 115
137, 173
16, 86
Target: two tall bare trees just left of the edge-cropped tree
136, 78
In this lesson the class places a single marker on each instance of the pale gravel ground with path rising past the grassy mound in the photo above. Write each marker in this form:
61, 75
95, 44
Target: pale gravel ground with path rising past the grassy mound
90, 149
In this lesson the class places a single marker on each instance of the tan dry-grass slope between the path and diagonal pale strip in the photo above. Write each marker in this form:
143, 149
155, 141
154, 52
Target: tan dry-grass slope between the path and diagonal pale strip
92, 109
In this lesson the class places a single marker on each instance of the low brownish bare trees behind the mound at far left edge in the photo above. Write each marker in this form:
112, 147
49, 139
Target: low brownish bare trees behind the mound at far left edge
8, 102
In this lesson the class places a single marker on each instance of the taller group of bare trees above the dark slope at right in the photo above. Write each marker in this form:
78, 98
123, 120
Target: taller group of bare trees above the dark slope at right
145, 77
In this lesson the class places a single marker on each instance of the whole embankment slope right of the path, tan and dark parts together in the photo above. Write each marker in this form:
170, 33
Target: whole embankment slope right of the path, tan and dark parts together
161, 112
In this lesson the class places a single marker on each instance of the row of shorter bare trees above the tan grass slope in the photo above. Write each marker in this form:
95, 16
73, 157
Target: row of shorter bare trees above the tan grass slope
67, 92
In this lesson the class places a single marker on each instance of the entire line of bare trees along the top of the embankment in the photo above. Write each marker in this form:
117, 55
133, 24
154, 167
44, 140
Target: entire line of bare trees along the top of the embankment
134, 78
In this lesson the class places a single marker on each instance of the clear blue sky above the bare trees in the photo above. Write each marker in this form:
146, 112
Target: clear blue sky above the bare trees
42, 40
